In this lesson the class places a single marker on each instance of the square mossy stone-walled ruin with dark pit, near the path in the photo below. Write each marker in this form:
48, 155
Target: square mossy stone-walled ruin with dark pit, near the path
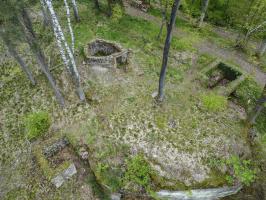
222, 77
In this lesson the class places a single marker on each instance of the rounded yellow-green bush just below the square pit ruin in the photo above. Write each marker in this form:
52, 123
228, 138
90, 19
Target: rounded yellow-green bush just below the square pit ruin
214, 102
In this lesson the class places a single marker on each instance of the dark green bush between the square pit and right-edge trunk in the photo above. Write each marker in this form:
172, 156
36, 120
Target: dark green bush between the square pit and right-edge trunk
248, 92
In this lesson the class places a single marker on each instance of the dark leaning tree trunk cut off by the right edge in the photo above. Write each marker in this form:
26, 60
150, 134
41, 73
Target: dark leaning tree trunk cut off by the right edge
258, 108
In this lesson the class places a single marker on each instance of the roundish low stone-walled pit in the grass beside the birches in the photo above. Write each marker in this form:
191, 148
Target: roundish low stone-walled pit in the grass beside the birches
105, 54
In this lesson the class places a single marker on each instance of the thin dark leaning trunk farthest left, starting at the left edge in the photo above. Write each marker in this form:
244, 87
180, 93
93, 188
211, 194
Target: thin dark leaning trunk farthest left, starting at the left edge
12, 50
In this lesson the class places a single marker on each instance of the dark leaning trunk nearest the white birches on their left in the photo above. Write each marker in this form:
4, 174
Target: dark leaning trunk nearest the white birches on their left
31, 40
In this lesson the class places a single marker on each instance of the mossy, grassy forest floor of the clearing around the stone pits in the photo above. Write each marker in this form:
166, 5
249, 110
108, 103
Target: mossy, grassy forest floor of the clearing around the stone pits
181, 139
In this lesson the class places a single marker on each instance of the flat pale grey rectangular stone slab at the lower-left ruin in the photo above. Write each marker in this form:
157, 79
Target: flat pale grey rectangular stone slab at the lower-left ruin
66, 174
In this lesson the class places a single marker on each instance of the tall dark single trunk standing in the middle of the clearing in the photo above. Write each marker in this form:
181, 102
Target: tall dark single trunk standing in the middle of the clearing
166, 48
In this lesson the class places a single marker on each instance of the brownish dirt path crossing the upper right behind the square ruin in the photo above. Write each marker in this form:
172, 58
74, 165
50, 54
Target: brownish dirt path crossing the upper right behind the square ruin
207, 47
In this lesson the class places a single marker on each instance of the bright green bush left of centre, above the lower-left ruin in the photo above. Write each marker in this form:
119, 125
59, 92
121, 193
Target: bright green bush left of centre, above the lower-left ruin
36, 124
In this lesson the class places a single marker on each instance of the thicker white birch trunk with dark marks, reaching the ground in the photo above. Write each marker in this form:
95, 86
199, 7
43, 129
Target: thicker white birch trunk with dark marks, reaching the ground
65, 51
